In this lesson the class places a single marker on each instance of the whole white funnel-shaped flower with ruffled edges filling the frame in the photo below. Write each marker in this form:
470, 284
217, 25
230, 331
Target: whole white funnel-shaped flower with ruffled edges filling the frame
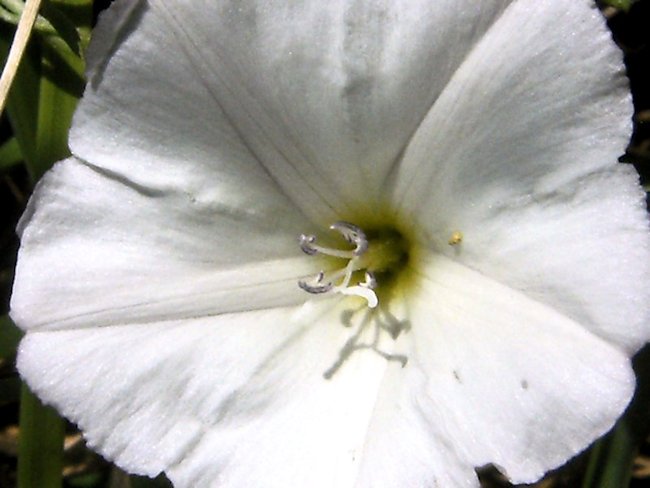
475, 145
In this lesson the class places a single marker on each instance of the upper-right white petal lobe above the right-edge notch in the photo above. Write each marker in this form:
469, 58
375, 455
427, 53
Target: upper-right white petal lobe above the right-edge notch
540, 102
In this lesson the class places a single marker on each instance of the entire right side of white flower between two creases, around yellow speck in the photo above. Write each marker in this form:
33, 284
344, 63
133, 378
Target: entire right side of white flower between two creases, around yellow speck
519, 154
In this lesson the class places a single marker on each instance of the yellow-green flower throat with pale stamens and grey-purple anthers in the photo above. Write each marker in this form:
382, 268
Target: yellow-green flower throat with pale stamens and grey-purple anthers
373, 263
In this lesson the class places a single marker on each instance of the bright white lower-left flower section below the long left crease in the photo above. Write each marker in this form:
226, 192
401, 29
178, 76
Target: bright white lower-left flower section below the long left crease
238, 398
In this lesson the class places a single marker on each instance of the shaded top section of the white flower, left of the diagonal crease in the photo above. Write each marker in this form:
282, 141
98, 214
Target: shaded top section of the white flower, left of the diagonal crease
320, 98
